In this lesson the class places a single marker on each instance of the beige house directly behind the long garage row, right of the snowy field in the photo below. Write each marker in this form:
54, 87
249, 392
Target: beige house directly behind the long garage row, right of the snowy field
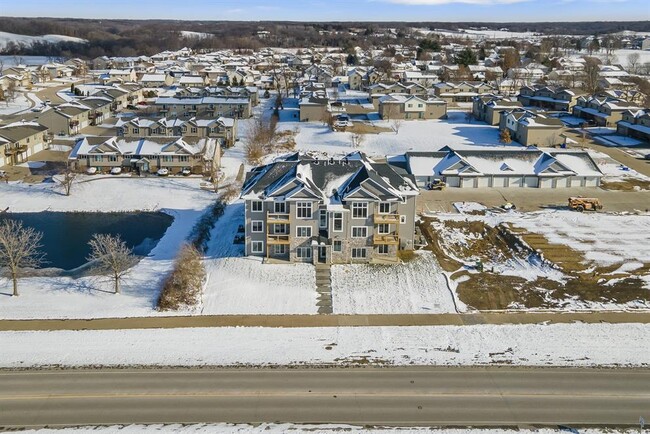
531, 128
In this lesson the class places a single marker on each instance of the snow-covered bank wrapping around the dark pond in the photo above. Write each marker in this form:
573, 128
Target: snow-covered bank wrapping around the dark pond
64, 297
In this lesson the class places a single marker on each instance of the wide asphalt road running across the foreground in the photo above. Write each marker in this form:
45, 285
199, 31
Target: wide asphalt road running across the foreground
495, 396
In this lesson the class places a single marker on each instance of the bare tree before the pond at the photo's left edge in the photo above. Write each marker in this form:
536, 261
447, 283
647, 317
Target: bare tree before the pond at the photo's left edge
19, 249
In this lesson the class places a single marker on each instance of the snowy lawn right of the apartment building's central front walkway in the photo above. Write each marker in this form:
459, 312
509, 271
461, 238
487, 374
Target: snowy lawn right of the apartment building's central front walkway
416, 286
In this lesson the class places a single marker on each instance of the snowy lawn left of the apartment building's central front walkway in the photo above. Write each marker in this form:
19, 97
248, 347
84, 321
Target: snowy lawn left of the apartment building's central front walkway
244, 285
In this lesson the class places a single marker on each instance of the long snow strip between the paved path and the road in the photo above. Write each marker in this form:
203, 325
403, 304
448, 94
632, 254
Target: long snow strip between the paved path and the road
531, 345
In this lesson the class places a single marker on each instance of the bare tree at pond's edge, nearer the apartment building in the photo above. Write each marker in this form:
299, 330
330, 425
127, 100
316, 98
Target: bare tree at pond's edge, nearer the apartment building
112, 256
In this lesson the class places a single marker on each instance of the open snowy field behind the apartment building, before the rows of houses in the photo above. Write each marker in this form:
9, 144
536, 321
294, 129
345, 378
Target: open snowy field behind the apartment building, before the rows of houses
416, 135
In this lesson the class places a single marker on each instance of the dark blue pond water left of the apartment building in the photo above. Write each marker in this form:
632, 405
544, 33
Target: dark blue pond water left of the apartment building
66, 235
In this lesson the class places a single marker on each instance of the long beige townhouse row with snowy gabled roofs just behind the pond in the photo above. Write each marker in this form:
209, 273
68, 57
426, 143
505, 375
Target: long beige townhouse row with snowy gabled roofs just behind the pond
145, 155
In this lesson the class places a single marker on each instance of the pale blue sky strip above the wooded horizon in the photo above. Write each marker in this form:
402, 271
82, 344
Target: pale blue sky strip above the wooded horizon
336, 10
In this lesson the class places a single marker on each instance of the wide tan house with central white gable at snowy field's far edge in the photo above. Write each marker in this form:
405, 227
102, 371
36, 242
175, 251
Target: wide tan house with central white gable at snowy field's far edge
398, 106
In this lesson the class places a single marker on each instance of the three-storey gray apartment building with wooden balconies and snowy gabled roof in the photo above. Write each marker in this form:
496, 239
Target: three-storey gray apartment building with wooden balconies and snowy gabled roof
302, 208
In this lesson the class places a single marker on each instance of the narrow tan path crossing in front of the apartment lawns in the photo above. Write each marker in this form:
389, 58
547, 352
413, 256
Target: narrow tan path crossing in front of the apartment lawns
290, 321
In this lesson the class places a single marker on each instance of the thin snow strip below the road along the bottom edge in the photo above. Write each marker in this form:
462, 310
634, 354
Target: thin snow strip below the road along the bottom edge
269, 428
